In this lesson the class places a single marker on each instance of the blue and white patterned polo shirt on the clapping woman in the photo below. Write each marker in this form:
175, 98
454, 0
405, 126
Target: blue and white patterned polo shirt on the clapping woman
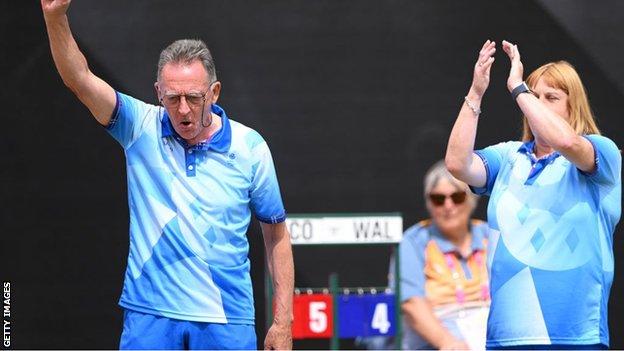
553, 226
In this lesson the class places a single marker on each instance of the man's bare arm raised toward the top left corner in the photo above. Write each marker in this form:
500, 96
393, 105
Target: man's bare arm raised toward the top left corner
93, 92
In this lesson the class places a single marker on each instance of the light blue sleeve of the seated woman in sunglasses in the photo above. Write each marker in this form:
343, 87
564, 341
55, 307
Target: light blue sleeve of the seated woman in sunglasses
412, 264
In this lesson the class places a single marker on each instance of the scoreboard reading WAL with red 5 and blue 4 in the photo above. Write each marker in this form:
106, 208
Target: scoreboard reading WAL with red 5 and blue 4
332, 312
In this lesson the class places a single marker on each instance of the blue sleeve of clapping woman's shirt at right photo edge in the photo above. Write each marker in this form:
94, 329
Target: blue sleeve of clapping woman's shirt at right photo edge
608, 160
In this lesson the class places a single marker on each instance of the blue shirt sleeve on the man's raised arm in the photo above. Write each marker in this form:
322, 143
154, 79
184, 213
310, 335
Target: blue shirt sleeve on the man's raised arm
128, 119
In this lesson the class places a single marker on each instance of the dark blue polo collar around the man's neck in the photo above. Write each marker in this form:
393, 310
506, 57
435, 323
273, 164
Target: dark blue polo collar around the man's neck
219, 142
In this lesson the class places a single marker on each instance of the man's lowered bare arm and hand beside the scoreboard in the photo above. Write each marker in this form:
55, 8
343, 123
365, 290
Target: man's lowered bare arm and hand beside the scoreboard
280, 261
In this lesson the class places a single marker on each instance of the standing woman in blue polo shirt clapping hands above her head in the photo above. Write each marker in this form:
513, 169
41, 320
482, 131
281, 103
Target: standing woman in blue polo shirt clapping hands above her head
555, 198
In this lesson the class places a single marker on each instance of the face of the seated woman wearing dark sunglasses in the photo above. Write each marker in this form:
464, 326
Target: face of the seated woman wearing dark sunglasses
453, 212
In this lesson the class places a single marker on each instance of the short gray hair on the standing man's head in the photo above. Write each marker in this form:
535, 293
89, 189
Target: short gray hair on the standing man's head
186, 51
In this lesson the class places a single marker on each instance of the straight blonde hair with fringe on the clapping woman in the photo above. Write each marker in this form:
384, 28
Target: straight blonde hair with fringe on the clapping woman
562, 75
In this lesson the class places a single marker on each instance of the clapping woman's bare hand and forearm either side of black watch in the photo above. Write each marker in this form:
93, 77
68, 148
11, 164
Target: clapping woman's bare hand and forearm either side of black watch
545, 124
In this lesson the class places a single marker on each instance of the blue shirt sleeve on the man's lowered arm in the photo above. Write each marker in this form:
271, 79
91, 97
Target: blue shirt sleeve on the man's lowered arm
266, 201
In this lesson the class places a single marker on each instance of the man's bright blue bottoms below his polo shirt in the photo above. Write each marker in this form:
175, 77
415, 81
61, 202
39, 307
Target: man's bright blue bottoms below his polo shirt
148, 331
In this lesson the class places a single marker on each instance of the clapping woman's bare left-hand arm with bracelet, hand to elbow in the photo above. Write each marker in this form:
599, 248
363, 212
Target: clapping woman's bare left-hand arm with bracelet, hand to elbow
460, 159
